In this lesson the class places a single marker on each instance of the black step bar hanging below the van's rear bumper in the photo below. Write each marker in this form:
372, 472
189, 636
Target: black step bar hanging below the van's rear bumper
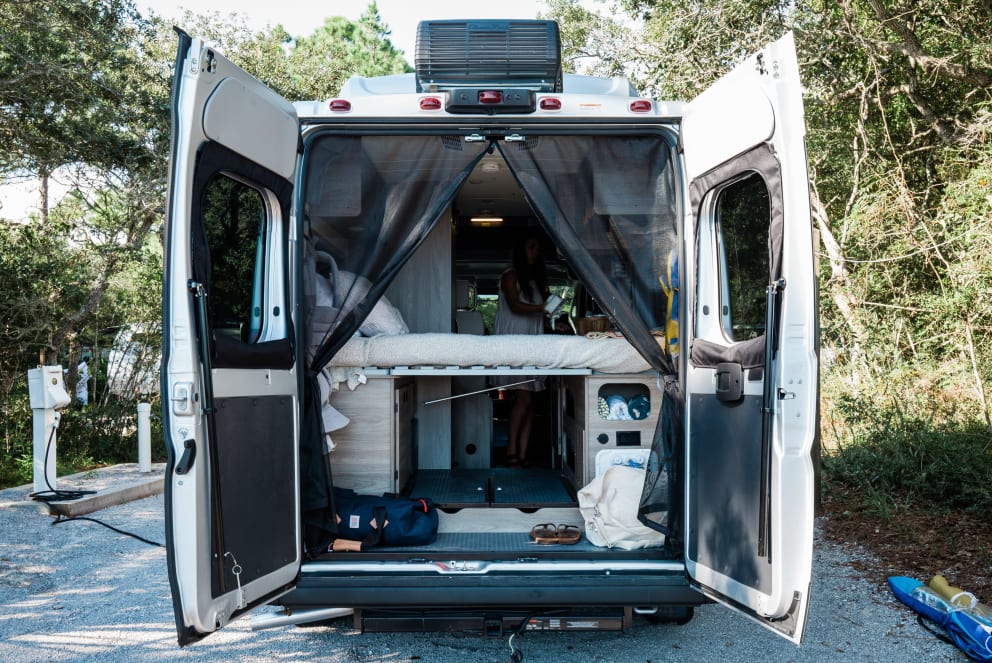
492, 624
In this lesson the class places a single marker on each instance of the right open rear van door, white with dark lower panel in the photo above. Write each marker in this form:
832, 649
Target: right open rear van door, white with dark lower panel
751, 378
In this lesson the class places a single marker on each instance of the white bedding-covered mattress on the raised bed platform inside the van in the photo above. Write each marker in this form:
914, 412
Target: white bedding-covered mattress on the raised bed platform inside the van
606, 355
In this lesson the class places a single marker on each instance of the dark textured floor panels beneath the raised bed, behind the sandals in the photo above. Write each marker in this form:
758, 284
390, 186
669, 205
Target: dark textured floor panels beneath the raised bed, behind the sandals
502, 487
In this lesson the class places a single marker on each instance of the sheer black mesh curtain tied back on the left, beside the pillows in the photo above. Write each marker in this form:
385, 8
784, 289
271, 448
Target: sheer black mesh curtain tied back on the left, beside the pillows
368, 203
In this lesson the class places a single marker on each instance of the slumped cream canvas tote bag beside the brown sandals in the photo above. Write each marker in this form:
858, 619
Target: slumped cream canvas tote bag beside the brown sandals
609, 505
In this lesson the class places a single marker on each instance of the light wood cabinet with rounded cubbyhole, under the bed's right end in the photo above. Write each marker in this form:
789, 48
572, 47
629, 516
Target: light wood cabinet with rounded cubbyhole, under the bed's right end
588, 432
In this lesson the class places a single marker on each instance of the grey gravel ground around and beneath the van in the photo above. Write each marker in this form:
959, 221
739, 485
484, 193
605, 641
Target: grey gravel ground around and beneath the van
80, 592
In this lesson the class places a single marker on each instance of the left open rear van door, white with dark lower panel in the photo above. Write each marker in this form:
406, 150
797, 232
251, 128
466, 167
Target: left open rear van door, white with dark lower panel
230, 373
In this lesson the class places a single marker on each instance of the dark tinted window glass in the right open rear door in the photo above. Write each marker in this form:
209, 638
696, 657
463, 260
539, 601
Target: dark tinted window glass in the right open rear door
743, 216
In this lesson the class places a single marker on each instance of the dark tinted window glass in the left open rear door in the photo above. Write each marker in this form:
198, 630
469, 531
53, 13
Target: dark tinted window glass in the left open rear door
235, 217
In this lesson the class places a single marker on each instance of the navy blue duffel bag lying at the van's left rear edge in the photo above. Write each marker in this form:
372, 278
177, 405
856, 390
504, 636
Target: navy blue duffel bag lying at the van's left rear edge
384, 520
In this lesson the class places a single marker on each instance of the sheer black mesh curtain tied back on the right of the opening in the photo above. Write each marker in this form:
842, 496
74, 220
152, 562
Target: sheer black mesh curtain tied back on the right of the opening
610, 203
